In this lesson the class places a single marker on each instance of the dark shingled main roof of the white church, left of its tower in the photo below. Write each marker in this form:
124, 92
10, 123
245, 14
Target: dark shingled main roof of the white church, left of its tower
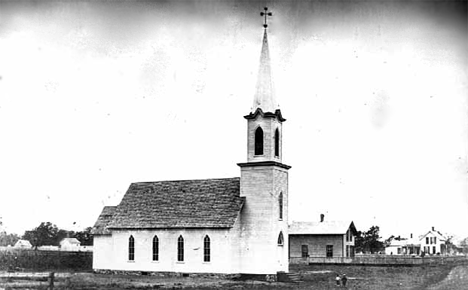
204, 203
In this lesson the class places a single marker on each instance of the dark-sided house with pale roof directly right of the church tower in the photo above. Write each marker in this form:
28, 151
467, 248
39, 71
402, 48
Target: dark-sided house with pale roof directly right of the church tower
324, 239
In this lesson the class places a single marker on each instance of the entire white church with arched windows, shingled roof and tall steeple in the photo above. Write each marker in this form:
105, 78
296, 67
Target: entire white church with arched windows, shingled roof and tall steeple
231, 225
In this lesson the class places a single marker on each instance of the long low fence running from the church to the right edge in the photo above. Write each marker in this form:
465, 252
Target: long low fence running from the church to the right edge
382, 260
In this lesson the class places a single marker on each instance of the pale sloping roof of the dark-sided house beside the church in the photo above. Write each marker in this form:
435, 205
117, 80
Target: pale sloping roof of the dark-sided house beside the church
321, 228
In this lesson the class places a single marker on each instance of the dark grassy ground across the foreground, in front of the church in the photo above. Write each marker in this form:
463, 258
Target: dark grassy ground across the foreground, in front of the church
313, 277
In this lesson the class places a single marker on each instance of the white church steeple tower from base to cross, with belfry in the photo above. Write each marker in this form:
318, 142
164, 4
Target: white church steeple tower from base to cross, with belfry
264, 179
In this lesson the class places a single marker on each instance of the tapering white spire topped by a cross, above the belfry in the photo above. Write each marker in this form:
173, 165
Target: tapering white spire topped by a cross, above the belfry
264, 95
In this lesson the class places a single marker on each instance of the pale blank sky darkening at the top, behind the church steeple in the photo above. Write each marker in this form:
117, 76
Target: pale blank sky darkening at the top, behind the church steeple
94, 96
